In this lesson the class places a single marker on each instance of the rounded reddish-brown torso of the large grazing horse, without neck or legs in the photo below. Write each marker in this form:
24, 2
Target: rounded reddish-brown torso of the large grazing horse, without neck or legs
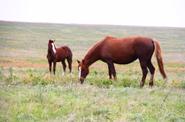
125, 50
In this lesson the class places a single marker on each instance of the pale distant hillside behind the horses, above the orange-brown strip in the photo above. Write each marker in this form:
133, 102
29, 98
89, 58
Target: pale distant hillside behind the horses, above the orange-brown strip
29, 40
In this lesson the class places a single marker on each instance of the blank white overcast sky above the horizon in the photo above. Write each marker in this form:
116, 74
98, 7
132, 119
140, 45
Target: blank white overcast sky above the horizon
118, 12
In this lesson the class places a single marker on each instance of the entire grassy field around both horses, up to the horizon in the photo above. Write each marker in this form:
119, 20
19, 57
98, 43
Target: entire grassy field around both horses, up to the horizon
29, 93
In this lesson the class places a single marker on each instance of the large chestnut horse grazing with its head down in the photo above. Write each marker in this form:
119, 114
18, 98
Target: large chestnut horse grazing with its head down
123, 51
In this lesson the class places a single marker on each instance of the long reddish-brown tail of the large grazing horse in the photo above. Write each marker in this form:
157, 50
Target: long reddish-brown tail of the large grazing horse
159, 58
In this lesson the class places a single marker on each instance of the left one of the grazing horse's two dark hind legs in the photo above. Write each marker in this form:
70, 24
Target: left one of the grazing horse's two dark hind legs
143, 65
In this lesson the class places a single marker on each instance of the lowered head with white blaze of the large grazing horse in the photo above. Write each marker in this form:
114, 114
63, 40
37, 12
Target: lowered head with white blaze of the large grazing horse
83, 70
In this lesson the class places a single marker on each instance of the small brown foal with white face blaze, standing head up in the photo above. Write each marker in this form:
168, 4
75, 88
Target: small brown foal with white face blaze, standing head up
58, 55
